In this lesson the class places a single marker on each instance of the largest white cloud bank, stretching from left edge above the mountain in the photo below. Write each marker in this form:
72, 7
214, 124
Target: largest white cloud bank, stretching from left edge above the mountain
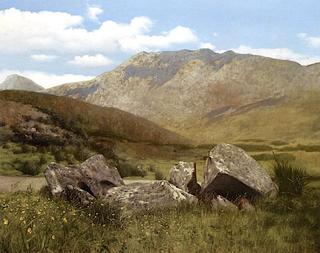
26, 32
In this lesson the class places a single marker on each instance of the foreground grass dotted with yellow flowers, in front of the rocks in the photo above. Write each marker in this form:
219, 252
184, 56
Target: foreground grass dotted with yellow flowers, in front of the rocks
34, 223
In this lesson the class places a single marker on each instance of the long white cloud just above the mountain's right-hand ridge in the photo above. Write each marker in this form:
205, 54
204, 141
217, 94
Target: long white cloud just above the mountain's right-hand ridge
277, 53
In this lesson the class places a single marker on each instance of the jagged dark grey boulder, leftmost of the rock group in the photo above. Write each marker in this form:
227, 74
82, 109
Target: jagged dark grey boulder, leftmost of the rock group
94, 177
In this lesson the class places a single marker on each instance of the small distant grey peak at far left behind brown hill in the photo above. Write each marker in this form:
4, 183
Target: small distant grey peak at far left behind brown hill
16, 82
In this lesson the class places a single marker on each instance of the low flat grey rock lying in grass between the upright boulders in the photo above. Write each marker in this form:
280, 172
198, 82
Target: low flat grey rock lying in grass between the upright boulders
140, 198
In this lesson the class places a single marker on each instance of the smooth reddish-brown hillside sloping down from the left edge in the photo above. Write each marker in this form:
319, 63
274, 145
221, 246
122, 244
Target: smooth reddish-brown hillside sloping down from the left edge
96, 121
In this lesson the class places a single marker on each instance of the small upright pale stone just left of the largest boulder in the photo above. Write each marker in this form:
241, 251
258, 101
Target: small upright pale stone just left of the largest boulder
184, 176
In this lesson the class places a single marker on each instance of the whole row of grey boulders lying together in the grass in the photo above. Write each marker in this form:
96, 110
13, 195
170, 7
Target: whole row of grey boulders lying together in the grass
232, 180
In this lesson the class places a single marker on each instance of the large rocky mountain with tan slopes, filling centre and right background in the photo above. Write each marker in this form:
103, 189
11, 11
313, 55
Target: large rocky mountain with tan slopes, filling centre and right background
209, 96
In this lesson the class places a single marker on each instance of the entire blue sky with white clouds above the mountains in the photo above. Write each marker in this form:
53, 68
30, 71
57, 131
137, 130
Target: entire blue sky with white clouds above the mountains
55, 42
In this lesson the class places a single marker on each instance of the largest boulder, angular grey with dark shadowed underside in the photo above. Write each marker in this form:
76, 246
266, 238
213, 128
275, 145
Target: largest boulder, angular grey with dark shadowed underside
230, 172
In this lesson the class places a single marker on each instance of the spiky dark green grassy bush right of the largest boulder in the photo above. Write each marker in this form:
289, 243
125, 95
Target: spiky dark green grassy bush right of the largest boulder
291, 180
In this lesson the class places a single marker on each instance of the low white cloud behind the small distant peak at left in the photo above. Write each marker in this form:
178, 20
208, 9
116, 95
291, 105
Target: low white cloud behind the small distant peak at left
45, 79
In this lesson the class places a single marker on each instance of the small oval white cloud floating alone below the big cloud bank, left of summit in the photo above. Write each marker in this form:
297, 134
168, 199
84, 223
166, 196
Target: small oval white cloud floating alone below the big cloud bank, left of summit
91, 61
